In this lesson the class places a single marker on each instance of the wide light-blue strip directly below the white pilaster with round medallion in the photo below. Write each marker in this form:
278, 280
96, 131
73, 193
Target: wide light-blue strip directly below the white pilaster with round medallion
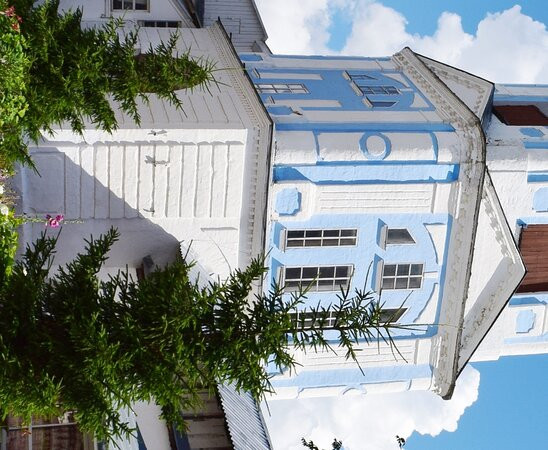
364, 174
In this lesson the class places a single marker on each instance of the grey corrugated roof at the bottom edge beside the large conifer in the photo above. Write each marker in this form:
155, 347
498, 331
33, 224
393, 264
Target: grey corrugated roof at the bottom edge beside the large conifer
244, 419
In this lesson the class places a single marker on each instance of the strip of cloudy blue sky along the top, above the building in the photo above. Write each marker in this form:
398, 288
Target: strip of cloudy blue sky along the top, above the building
500, 40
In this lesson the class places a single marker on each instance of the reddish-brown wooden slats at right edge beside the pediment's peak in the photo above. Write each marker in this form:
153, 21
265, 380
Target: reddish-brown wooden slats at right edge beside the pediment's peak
534, 250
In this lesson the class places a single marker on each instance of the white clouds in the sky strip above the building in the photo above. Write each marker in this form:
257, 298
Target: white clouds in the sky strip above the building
508, 46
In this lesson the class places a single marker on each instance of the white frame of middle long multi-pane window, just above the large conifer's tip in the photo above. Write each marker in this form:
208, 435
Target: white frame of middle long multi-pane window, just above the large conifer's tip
313, 282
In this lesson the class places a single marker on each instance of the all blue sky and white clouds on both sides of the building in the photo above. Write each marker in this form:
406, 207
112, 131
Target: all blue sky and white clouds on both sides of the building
503, 41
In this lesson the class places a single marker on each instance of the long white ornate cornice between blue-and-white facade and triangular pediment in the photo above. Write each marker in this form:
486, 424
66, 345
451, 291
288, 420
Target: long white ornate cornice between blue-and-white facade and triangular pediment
445, 348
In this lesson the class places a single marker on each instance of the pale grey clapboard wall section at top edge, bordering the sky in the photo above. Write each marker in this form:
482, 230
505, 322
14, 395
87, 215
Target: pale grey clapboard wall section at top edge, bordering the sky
240, 19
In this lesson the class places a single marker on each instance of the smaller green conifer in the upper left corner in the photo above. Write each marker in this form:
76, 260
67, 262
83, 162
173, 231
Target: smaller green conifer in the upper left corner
53, 71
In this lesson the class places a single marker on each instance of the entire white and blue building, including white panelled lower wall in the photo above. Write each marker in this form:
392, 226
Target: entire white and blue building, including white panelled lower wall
401, 175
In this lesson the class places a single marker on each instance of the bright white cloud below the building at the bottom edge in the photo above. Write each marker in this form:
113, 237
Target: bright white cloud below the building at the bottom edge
369, 422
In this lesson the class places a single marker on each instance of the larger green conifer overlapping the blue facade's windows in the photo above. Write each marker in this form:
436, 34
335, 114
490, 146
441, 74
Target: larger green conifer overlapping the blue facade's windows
69, 341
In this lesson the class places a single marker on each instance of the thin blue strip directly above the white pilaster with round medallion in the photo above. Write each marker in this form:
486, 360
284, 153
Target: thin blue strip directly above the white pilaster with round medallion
361, 126
